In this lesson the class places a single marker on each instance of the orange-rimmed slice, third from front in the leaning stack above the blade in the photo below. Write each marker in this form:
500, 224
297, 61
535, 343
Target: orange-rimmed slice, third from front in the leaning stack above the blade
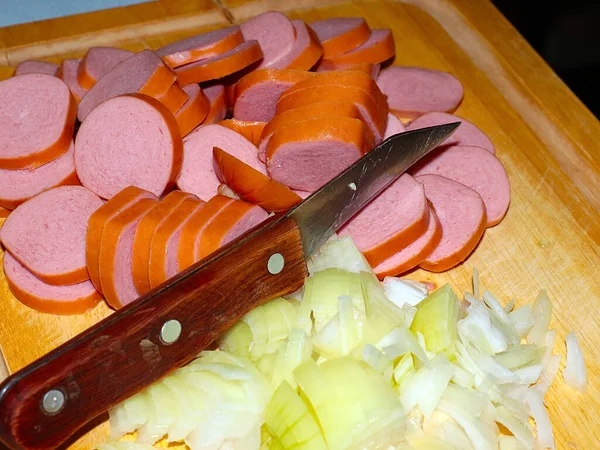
373, 114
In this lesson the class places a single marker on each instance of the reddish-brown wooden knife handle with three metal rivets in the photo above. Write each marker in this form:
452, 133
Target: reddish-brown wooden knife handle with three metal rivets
130, 349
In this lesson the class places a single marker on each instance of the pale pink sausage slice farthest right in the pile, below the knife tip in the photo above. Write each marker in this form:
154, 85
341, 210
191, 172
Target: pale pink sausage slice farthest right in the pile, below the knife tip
474, 167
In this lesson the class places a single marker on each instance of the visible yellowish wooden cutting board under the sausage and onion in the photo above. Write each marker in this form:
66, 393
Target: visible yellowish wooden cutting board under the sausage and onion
547, 140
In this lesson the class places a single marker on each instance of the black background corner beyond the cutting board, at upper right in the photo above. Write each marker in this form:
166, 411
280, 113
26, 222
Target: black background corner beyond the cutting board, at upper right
567, 35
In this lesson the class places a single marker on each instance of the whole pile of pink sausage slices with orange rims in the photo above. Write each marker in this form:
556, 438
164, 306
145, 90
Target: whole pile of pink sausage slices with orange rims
158, 177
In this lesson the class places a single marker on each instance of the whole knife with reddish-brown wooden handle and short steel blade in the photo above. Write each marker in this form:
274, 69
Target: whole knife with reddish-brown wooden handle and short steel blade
45, 403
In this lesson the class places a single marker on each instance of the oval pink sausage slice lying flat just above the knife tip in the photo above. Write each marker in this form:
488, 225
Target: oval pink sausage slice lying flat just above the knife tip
413, 91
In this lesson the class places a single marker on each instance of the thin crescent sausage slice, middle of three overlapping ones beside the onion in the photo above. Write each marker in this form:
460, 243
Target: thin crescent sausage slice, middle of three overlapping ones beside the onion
413, 254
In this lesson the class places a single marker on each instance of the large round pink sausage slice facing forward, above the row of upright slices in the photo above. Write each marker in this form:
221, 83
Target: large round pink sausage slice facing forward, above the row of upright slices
143, 147
